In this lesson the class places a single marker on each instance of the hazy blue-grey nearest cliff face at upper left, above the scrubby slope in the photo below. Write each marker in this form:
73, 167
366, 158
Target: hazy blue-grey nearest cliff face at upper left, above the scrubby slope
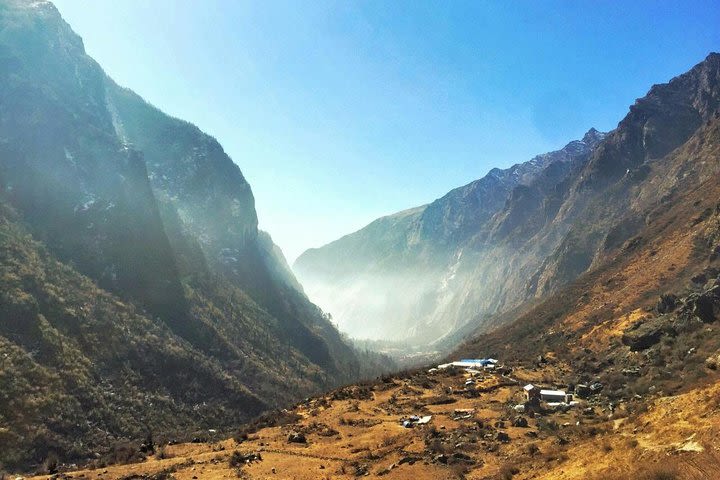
85, 193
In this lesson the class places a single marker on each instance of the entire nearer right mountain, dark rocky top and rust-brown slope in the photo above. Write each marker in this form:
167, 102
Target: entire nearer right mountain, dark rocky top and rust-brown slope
644, 212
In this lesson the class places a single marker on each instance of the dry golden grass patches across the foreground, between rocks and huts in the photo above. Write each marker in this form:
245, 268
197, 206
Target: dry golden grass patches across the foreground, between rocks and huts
684, 428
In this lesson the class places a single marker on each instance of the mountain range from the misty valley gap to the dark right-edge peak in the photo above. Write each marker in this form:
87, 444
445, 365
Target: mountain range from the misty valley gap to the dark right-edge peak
440, 271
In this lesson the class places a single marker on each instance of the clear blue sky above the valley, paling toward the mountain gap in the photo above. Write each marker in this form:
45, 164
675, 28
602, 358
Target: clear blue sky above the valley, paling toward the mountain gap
338, 112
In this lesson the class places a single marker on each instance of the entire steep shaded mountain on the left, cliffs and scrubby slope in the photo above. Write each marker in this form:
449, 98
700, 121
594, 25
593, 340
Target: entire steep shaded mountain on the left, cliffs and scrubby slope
138, 293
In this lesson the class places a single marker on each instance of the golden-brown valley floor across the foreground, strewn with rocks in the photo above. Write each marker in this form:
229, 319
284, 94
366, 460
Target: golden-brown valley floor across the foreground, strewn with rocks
356, 431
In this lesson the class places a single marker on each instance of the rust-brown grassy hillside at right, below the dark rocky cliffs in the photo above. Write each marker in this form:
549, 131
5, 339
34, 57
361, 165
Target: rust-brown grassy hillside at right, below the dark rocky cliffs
654, 299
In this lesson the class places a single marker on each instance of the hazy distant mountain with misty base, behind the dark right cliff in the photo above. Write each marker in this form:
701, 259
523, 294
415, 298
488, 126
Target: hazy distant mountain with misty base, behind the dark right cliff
428, 271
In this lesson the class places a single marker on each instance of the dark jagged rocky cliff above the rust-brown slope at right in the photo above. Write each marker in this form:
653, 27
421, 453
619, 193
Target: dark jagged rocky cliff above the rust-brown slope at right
608, 200
